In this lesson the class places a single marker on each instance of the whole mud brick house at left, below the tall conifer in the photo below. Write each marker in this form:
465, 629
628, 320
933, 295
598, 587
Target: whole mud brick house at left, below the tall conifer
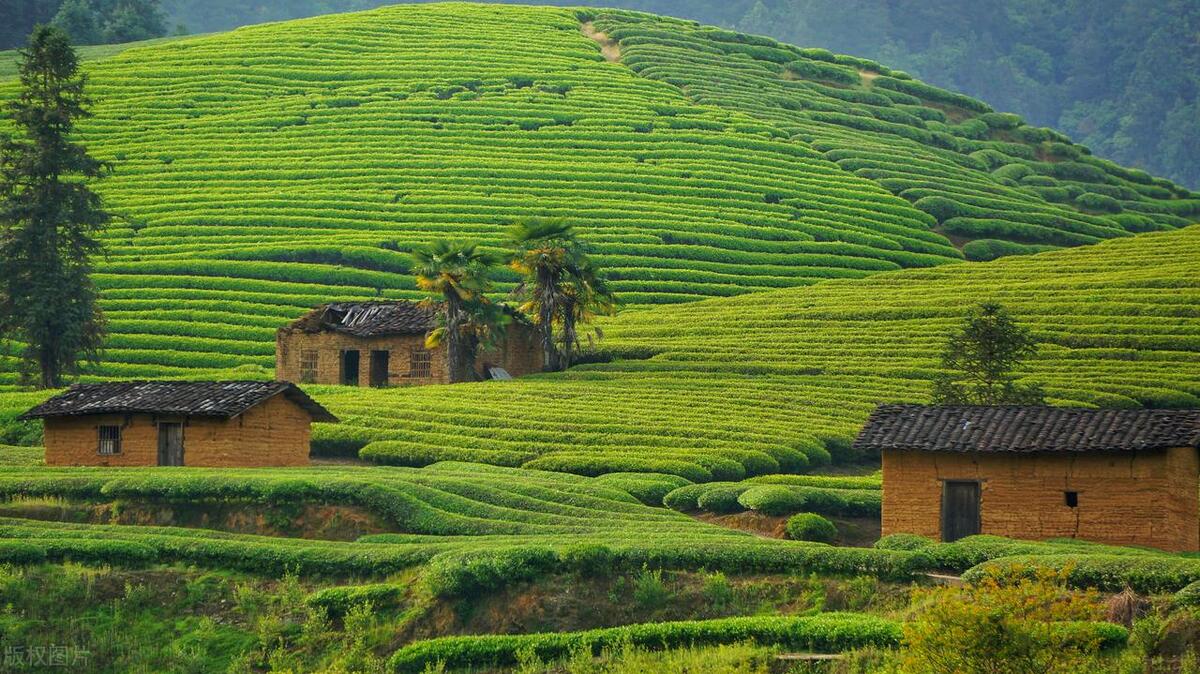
201, 424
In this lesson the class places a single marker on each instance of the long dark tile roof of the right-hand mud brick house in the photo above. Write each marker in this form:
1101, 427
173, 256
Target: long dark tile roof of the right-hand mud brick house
1027, 430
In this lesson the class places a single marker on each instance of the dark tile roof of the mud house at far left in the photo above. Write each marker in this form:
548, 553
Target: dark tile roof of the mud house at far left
191, 399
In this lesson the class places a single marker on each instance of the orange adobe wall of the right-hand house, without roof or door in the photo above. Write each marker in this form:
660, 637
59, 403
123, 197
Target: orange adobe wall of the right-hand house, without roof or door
1129, 500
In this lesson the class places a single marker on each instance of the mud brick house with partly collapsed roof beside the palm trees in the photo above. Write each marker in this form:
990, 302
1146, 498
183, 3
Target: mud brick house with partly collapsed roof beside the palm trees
383, 345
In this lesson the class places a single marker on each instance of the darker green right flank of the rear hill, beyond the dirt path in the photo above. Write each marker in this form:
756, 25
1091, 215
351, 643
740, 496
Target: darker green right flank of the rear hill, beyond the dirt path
988, 179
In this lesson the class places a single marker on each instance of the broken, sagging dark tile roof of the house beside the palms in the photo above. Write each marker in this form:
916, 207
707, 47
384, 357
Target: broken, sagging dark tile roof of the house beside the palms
369, 320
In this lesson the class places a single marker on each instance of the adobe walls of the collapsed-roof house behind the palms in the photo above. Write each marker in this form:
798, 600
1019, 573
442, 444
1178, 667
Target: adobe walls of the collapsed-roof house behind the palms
520, 356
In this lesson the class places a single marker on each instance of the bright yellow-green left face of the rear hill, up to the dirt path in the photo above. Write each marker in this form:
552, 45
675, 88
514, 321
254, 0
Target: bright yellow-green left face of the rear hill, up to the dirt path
268, 170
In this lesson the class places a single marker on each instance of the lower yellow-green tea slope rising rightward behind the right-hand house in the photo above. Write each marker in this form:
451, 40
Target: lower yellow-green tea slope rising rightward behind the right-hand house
775, 382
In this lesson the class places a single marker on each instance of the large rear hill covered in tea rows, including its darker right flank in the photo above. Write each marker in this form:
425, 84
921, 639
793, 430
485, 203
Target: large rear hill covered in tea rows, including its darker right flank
269, 170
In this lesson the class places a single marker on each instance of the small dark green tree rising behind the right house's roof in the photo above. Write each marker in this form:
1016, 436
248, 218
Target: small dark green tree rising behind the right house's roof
981, 358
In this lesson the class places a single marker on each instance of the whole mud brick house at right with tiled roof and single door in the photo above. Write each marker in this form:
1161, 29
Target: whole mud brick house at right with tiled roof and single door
1127, 478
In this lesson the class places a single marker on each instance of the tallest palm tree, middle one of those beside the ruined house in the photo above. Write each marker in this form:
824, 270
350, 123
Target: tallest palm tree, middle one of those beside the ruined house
545, 252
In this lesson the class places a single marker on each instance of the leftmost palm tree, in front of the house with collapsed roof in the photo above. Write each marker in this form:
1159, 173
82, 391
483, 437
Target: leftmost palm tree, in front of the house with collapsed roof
459, 274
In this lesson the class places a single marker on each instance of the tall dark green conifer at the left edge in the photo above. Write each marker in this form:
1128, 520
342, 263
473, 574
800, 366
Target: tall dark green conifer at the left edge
50, 218
